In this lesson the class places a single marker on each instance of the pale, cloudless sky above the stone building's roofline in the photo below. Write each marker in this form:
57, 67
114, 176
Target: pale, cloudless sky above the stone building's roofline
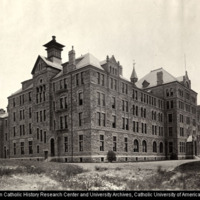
154, 33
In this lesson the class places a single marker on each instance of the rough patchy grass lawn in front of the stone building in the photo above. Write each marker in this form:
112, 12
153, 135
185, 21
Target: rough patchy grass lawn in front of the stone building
34, 175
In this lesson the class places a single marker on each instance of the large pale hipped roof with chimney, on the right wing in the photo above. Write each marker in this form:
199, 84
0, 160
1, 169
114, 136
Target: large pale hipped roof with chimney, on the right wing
151, 78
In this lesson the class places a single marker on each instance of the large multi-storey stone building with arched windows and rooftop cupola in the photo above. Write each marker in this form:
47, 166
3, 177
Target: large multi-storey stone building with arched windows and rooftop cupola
79, 110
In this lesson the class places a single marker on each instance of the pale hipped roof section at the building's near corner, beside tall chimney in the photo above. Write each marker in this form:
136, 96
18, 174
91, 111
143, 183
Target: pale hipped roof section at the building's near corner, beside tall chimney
88, 59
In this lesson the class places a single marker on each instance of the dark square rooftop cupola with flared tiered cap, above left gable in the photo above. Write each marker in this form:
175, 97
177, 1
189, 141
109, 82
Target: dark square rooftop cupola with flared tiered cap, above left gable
54, 49
